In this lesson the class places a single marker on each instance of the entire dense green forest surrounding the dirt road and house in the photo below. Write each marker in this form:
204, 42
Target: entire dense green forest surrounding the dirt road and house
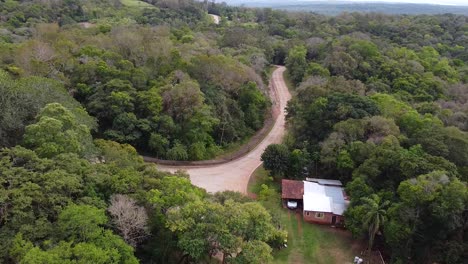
380, 102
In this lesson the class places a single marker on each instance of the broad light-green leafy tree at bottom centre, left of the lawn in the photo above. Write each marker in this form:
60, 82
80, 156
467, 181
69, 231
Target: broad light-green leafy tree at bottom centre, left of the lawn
206, 228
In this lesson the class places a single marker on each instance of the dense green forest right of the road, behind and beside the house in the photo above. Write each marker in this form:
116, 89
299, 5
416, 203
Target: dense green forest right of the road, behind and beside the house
381, 104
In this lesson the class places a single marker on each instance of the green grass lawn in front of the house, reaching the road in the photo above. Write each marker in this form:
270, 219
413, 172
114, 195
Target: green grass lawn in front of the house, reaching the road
307, 243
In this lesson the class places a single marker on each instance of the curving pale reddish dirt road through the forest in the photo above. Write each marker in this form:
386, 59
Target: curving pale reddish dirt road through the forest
235, 175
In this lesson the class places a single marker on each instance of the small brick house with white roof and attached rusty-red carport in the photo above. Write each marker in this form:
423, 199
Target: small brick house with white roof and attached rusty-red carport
323, 201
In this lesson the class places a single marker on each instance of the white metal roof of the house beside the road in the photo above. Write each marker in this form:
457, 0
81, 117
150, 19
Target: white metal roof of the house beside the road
324, 198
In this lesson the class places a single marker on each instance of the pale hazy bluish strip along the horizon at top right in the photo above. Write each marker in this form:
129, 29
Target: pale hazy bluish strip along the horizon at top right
335, 8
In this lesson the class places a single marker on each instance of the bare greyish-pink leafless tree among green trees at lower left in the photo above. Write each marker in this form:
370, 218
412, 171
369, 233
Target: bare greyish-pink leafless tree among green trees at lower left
130, 219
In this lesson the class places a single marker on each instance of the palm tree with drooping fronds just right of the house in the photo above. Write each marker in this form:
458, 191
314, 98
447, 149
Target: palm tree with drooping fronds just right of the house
375, 215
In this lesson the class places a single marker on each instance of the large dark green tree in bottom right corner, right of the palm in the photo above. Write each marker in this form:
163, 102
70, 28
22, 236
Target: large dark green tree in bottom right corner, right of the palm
429, 202
